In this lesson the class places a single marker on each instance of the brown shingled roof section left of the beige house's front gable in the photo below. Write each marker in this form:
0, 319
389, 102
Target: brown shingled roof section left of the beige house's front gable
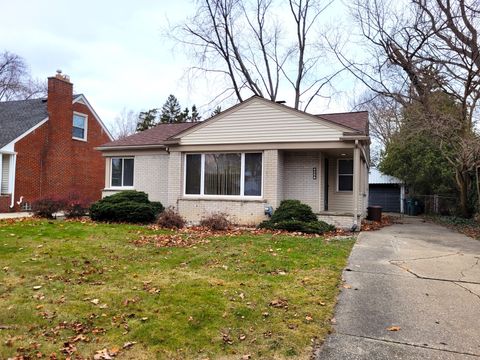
154, 136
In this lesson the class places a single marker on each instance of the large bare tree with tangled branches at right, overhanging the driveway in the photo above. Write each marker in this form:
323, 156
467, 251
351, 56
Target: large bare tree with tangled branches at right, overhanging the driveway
422, 48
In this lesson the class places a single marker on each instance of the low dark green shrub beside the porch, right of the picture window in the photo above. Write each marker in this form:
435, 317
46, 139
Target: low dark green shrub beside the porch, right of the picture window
292, 215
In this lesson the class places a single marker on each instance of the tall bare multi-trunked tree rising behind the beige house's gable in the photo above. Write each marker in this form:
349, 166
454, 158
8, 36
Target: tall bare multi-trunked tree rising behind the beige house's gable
255, 51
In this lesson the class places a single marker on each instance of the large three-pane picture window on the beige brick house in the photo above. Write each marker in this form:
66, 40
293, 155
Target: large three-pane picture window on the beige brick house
229, 174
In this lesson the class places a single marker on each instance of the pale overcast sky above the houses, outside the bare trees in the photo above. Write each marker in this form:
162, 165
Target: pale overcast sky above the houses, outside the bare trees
115, 52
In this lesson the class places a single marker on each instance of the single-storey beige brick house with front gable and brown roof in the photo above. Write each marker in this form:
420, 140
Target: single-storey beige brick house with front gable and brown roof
246, 159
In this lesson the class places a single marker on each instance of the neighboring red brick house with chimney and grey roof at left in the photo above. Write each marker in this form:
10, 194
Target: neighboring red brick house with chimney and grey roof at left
47, 148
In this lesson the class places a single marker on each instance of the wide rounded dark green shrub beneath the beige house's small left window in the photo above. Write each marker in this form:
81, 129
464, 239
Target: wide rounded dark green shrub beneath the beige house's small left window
126, 206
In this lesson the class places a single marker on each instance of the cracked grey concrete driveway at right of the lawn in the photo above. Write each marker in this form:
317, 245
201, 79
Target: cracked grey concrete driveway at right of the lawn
420, 277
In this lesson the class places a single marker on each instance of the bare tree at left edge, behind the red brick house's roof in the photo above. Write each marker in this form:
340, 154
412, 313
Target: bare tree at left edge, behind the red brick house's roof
15, 80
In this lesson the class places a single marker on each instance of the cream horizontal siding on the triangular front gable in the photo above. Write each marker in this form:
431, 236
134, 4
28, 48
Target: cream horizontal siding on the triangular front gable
258, 122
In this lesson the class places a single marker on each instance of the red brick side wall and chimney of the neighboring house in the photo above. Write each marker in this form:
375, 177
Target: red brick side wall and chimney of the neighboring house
50, 162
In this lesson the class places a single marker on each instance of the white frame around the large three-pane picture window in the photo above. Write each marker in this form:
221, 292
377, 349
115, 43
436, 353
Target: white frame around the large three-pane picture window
202, 195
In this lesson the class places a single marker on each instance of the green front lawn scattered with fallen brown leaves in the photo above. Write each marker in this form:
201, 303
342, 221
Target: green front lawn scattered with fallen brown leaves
264, 295
